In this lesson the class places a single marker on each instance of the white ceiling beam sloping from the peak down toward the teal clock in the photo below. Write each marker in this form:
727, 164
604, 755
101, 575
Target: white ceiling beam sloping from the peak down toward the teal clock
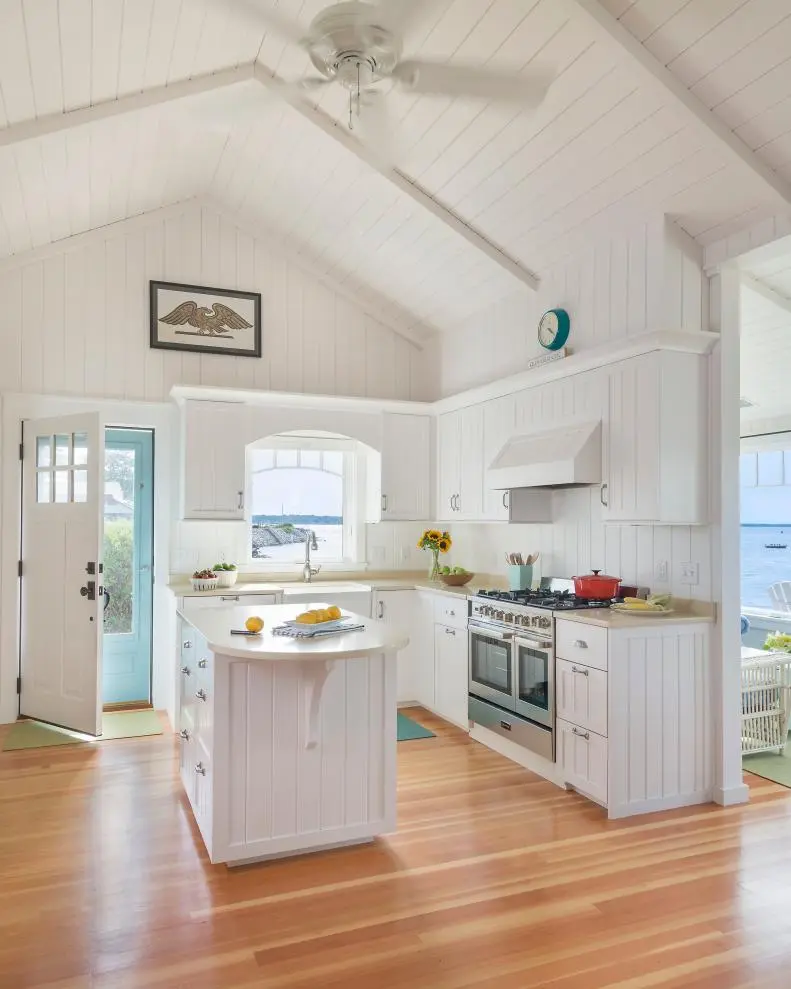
340, 134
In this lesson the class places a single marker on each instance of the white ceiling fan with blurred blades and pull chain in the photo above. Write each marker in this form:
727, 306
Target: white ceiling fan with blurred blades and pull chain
359, 46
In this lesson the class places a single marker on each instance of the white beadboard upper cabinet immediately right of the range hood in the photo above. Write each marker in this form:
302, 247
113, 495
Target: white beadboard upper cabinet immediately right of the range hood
656, 450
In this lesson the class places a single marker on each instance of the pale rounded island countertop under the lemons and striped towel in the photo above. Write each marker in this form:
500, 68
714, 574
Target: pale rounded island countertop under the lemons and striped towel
215, 625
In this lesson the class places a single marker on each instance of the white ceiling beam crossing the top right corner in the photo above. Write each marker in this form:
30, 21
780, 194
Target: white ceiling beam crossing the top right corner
656, 74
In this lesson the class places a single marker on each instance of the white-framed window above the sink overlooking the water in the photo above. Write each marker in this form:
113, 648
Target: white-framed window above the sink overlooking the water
297, 489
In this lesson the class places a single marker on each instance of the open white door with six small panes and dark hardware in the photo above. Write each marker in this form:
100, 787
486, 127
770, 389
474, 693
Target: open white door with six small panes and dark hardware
61, 593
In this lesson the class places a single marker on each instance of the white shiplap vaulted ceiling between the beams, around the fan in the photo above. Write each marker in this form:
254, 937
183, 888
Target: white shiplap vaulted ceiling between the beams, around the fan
606, 145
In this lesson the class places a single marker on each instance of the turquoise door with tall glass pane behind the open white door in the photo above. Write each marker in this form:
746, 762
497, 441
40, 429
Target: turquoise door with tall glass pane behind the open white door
128, 565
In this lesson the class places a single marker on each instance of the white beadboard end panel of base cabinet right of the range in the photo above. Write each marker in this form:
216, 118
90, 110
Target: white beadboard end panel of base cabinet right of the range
660, 712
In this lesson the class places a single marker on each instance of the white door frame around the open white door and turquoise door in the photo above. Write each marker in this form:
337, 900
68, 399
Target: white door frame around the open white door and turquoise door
162, 418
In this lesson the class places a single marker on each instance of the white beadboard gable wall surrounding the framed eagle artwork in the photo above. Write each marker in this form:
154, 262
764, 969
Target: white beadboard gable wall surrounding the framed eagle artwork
74, 319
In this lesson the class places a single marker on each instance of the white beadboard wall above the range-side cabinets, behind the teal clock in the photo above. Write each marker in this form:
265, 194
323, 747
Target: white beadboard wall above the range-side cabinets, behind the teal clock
648, 277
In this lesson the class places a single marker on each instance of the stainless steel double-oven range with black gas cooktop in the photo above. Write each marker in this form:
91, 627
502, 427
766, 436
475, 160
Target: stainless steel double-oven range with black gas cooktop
512, 661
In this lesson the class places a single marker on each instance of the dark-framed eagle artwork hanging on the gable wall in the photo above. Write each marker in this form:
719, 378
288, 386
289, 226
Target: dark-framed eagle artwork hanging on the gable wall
206, 320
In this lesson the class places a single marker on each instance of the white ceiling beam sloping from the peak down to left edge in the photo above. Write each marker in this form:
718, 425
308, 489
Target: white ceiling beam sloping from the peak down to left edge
30, 130
